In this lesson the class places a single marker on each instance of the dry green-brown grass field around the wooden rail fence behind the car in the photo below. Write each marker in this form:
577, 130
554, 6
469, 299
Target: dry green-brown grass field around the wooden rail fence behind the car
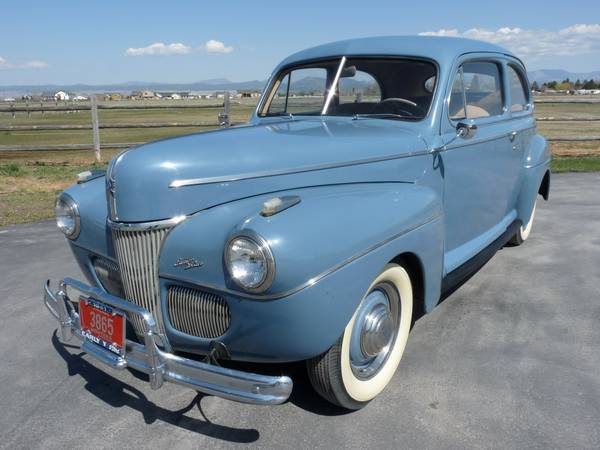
29, 181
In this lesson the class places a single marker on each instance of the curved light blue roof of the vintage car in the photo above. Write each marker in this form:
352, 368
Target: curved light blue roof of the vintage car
442, 49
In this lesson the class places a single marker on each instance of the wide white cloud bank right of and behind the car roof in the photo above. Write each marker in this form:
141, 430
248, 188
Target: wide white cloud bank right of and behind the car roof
574, 40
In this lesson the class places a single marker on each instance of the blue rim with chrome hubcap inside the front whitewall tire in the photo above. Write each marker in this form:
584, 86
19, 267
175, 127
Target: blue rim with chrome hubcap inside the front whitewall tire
374, 331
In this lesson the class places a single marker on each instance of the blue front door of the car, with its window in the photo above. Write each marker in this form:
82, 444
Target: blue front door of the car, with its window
481, 168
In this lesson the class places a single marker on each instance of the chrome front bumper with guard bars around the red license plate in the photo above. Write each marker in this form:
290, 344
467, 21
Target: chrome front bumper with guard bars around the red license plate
154, 358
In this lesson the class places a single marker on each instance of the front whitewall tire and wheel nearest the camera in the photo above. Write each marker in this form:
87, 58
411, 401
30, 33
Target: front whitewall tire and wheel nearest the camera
364, 359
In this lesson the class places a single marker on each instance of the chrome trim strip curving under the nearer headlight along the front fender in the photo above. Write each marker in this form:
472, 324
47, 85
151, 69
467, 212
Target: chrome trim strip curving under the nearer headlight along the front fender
307, 283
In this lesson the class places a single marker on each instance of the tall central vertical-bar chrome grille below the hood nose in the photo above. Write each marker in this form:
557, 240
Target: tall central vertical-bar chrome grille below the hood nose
138, 252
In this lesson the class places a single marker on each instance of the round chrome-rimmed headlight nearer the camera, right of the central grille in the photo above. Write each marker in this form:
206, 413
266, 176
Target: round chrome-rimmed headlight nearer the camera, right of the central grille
250, 262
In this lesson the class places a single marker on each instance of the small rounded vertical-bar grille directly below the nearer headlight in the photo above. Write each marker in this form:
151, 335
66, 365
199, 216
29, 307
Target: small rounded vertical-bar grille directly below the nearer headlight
198, 313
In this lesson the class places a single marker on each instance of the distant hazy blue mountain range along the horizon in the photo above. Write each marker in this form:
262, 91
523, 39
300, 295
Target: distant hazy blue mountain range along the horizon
540, 76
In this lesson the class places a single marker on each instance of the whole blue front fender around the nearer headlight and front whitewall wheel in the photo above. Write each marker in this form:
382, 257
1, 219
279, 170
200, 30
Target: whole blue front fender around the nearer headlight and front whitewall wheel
328, 249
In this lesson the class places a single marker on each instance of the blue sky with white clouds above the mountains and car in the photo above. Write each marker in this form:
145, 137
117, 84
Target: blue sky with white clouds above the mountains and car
110, 41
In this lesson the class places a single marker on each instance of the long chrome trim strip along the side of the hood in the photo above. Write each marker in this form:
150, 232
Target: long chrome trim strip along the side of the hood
273, 173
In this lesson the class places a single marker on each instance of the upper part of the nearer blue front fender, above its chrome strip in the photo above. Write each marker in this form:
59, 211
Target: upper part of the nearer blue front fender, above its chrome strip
332, 226
